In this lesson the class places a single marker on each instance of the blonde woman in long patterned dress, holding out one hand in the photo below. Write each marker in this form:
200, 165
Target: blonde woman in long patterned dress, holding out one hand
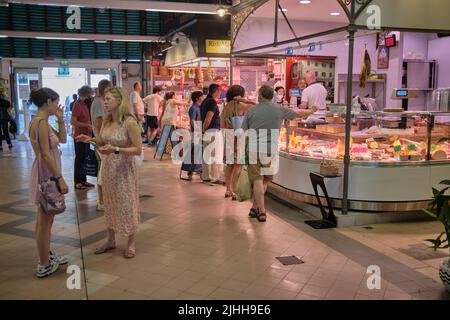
119, 141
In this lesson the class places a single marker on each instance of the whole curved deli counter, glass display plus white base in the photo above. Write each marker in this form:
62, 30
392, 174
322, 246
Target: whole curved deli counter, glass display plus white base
396, 158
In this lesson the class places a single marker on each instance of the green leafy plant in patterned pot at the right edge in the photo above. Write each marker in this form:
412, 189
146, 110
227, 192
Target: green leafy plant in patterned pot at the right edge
440, 210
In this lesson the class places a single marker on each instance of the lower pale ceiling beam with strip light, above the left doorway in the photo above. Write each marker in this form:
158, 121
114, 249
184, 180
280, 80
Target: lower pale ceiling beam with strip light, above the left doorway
77, 36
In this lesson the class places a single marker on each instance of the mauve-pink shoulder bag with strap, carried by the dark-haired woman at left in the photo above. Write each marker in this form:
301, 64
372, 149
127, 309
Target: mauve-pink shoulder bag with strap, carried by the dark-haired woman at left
51, 200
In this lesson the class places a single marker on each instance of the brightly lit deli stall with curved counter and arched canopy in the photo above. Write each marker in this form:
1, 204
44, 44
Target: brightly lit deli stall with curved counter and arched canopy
389, 156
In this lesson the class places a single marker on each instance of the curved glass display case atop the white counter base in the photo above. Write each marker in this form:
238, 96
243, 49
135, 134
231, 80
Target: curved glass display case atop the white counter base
380, 137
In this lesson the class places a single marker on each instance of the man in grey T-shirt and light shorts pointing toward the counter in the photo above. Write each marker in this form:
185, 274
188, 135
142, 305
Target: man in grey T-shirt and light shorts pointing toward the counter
265, 118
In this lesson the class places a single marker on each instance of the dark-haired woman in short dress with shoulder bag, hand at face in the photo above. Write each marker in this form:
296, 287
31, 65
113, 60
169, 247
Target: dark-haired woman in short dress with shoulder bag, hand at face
47, 186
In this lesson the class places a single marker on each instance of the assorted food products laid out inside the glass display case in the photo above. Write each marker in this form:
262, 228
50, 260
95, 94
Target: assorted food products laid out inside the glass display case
377, 143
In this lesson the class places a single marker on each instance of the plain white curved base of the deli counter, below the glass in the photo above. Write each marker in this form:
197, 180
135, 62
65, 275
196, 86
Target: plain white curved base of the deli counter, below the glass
381, 187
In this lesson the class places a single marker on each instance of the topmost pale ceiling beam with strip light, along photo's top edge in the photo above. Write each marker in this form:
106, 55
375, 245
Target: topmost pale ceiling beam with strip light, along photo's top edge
158, 6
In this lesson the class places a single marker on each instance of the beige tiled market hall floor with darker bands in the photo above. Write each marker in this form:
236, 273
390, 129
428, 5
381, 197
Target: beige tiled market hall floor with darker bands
194, 244
